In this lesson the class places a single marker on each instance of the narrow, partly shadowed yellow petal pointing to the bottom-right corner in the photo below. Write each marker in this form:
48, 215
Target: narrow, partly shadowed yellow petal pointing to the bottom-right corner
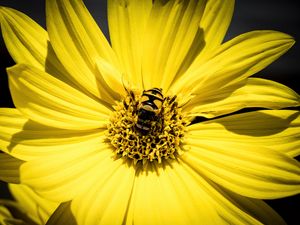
232, 208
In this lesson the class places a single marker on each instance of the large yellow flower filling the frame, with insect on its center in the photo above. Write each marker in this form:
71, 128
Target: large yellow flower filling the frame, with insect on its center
118, 131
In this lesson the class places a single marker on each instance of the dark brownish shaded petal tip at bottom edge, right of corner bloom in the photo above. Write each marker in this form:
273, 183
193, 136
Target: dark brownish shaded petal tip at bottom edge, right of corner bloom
62, 215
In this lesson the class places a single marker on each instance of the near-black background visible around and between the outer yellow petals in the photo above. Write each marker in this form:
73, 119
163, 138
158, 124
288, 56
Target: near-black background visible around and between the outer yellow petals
281, 15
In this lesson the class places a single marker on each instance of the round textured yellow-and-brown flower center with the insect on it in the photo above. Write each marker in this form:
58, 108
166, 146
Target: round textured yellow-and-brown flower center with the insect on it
147, 127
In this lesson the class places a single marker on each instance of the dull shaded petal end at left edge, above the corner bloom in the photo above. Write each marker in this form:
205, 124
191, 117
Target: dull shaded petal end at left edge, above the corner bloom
10, 168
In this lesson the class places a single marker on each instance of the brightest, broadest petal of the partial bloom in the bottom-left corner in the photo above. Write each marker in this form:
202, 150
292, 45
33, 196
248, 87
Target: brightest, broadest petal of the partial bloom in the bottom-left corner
39, 209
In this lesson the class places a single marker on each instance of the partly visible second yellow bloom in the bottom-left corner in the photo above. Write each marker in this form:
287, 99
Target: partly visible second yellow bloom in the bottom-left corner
28, 209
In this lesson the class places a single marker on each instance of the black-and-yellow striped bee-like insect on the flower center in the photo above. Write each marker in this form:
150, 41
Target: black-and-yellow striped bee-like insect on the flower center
149, 109
